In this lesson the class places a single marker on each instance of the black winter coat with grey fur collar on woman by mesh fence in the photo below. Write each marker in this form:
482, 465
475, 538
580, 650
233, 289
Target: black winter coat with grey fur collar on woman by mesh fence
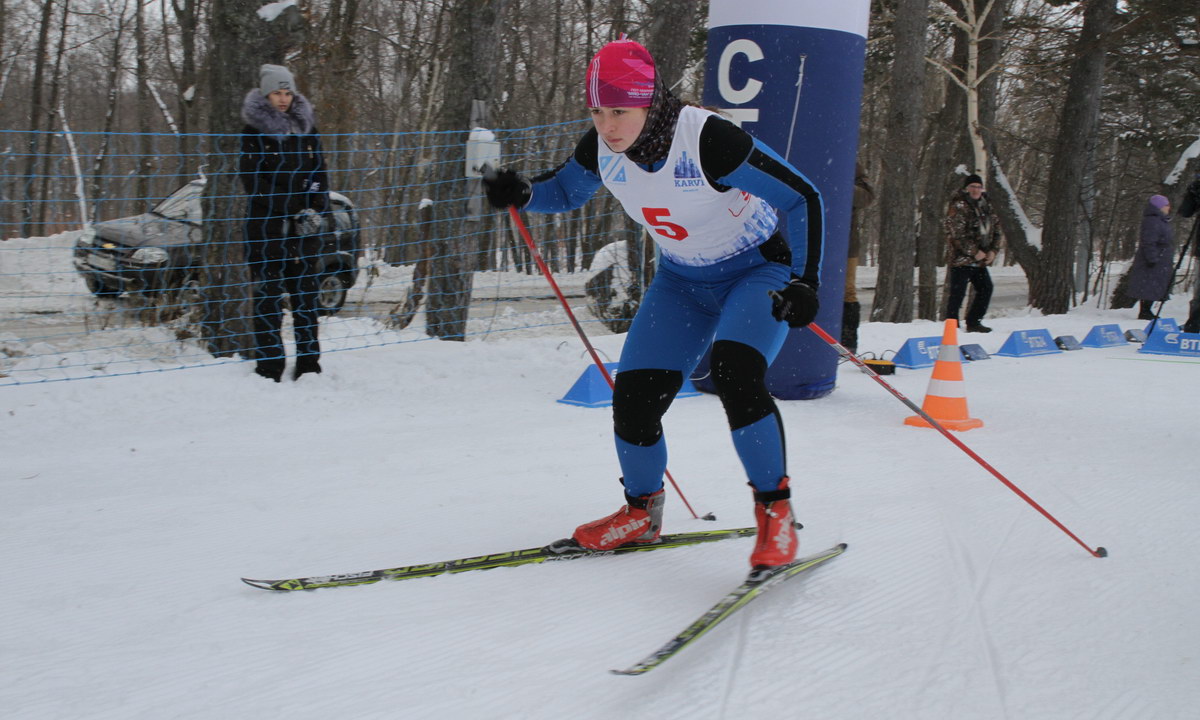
281, 165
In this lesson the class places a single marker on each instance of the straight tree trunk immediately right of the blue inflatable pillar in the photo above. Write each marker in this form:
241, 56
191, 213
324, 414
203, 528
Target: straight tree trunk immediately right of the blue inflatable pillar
898, 181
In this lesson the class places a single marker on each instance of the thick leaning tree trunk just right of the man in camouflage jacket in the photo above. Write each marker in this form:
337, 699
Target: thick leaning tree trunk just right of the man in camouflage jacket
1051, 278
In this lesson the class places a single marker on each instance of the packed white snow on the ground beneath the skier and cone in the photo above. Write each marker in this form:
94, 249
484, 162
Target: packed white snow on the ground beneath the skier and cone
131, 506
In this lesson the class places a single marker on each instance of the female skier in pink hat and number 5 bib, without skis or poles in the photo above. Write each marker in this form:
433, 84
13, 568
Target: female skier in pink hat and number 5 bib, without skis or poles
730, 277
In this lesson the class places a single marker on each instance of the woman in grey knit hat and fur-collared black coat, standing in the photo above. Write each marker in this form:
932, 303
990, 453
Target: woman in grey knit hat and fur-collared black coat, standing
284, 175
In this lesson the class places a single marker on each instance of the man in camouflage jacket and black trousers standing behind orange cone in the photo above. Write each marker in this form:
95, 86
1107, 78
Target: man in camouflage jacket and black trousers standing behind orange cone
973, 241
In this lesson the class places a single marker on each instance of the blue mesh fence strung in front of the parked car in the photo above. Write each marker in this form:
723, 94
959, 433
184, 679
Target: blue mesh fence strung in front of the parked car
125, 254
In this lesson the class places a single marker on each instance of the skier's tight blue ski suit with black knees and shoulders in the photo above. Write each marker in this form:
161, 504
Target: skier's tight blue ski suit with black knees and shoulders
693, 303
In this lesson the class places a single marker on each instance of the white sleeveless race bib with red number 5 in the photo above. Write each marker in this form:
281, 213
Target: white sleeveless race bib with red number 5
692, 221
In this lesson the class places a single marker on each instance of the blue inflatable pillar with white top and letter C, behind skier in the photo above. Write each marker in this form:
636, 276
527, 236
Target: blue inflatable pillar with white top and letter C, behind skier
791, 75
